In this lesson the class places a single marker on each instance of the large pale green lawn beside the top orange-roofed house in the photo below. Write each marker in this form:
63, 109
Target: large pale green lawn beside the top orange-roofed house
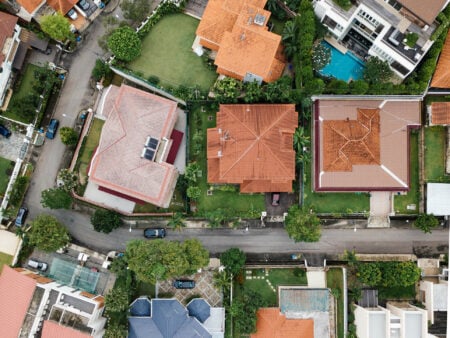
167, 53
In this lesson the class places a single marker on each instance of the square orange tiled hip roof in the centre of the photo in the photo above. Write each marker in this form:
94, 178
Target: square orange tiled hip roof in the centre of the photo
252, 145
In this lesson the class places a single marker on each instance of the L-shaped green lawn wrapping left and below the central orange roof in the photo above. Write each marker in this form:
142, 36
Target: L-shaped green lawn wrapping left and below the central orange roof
243, 205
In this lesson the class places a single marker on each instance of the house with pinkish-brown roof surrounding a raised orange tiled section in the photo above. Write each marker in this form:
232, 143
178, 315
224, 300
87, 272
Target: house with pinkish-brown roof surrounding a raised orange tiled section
361, 144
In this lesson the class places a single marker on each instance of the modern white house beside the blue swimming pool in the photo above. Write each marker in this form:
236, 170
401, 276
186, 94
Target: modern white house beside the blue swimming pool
396, 31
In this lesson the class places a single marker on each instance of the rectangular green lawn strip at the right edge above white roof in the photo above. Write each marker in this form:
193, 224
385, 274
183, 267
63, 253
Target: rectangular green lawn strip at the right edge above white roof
435, 138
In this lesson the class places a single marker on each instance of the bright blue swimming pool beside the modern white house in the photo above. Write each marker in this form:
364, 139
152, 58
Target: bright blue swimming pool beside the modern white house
345, 67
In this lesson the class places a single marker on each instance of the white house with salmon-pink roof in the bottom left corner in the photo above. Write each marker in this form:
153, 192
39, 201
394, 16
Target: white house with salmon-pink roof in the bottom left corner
33, 305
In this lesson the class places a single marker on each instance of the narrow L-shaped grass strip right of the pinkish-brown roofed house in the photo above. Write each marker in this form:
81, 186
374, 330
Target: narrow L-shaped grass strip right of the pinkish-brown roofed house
413, 196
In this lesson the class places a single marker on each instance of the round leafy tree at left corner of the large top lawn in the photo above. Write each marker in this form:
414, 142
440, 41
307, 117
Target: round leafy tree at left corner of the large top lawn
124, 43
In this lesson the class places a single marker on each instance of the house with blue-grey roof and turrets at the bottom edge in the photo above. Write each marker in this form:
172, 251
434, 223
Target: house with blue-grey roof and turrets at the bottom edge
167, 318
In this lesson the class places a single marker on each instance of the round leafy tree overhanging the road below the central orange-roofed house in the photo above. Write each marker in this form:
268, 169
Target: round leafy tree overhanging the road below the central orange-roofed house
302, 225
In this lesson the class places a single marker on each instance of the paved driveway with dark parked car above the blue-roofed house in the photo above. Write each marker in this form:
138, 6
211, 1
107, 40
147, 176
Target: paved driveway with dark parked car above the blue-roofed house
204, 288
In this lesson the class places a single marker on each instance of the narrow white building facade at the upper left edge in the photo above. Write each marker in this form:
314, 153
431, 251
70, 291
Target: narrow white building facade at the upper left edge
9, 49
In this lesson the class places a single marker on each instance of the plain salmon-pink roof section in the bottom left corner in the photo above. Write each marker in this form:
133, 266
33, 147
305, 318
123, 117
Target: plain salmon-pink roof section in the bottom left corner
16, 293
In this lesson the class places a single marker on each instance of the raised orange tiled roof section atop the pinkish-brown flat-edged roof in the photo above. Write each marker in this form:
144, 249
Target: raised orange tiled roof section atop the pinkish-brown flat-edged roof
352, 142
